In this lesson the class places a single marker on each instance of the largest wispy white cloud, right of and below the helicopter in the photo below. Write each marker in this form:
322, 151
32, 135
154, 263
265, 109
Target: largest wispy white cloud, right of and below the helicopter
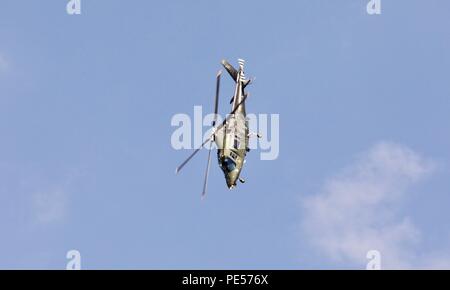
359, 210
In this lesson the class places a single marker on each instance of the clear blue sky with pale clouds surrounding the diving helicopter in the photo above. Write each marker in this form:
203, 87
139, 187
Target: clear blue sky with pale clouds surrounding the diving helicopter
86, 161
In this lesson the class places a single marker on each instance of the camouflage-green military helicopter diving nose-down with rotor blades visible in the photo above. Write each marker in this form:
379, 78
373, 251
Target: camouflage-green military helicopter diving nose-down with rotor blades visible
232, 135
